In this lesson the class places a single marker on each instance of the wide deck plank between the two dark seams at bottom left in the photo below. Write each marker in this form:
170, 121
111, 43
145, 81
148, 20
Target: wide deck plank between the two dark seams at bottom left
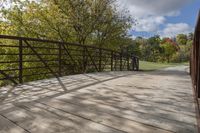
37, 118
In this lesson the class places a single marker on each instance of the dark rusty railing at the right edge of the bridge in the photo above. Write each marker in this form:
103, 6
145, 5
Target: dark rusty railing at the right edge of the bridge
195, 59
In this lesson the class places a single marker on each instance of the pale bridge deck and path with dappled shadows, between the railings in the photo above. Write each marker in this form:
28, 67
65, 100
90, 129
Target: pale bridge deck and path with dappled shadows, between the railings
111, 102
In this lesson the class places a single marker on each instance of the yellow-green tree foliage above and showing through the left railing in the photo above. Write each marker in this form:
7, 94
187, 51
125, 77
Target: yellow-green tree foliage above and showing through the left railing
91, 22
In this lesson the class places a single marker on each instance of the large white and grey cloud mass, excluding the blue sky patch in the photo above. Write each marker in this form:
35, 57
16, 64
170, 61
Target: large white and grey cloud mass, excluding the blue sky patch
151, 14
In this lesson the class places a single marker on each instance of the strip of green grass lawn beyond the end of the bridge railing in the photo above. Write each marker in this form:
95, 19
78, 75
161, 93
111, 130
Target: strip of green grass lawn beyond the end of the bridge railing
150, 66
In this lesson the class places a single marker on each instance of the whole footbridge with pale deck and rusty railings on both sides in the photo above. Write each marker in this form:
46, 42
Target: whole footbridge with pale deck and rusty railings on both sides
56, 87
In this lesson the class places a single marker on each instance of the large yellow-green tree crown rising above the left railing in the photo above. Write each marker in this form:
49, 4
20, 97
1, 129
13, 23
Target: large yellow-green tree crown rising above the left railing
83, 21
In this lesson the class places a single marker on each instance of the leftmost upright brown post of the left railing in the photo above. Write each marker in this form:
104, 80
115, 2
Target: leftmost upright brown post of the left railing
20, 61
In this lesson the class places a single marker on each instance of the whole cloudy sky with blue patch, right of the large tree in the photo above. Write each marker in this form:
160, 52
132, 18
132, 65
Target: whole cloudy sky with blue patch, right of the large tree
166, 18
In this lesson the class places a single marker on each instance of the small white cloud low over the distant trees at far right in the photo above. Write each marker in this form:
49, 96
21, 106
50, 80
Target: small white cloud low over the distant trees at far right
172, 30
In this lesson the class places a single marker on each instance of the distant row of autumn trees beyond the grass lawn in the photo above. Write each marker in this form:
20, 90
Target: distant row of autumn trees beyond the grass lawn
156, 49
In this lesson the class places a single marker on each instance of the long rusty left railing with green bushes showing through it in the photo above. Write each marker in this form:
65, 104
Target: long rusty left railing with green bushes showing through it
28, 59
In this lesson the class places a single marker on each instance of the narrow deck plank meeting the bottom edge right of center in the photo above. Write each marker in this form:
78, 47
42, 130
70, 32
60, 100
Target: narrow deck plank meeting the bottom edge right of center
125, 125
